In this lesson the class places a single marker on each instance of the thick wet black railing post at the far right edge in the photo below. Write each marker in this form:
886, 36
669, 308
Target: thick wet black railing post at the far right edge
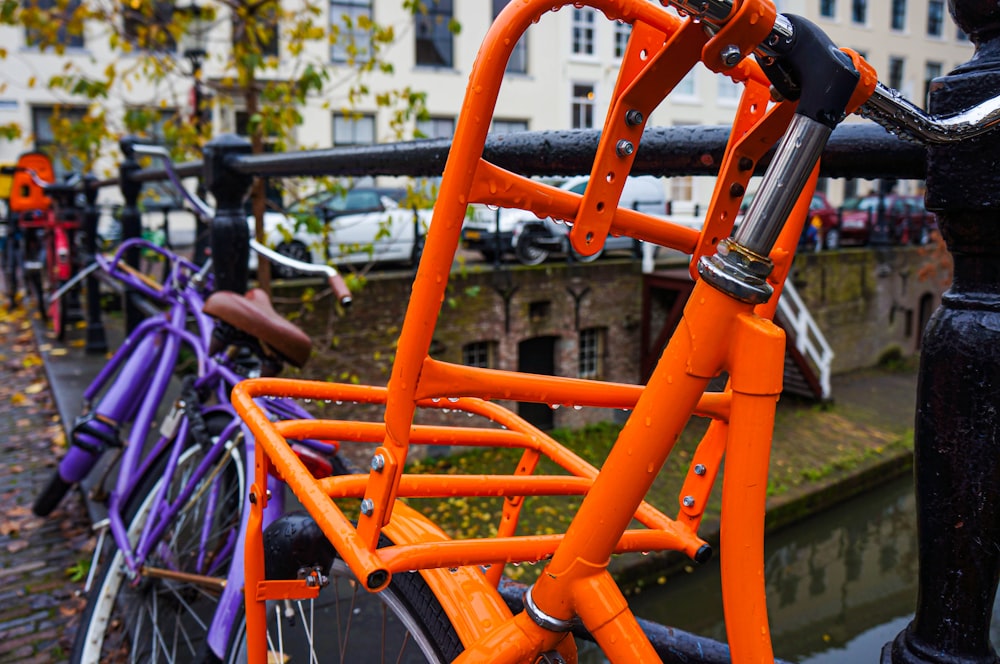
957, 432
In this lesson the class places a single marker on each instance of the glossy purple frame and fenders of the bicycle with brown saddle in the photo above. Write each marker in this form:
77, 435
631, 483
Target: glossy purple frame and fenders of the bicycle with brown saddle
139, 374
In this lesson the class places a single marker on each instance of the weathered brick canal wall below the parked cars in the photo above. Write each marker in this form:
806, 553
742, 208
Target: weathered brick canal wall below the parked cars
865, 301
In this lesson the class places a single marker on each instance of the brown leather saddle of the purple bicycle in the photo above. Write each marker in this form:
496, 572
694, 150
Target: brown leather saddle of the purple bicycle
252, 313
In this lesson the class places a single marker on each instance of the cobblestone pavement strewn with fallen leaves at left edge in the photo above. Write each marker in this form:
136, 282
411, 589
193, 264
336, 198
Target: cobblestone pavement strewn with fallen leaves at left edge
42, 561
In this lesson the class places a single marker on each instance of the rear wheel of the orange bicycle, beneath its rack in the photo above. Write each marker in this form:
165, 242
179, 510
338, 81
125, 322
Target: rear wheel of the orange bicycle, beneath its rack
403, 623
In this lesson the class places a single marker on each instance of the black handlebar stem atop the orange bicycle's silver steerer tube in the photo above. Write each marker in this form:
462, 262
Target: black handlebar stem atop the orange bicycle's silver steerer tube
809, 67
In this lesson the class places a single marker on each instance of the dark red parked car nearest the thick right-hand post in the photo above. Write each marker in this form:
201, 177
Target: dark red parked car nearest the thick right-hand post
905, 220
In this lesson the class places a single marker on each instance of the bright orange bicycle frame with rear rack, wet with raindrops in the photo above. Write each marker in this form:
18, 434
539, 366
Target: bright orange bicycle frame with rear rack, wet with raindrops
717, 334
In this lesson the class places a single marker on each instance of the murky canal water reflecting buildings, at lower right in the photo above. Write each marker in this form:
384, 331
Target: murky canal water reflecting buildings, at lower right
839, 585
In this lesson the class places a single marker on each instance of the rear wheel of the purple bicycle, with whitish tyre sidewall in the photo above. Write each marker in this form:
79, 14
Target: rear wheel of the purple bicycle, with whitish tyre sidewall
157, 619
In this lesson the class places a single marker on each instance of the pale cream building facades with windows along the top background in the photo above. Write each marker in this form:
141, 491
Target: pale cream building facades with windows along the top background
560, 77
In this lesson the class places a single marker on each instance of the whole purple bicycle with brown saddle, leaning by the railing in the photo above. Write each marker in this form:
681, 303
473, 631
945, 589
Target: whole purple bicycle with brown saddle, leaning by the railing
169, 585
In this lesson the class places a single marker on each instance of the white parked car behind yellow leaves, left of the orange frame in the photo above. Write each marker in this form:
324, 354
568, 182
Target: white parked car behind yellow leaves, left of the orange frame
363, 225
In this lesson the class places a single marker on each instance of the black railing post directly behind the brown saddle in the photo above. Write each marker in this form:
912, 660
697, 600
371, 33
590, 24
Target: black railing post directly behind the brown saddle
230, 236
